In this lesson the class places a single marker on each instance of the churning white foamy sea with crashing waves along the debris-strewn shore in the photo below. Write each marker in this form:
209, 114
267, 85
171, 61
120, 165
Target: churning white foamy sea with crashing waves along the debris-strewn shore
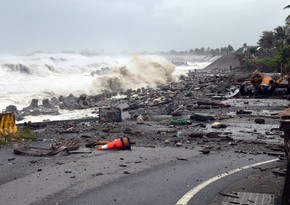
44, 75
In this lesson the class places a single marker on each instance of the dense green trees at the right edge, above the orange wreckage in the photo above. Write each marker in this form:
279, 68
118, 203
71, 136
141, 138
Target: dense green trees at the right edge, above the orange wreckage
272, 51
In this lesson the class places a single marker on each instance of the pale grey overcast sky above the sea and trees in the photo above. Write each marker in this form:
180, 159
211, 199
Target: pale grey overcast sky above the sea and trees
134, 25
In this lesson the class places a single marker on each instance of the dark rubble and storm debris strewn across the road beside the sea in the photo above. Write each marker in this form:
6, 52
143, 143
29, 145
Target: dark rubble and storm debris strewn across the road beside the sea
203, 111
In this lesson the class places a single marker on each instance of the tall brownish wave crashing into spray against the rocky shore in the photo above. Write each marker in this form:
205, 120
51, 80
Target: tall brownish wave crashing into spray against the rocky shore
141, 71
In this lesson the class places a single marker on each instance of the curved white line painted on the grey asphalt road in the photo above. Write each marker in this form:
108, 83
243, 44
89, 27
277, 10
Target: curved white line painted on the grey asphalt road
189, 195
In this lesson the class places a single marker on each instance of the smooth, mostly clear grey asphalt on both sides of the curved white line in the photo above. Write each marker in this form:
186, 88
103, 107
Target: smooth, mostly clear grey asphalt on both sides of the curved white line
167, 183
